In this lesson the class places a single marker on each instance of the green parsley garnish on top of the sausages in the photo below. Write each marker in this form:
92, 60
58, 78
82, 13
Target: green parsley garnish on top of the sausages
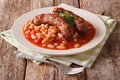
68, 18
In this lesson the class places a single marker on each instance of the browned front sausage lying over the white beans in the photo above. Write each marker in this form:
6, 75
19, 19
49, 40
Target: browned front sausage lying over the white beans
52, 19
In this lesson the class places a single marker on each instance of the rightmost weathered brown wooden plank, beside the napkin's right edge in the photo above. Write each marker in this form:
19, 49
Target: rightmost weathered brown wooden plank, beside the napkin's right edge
107, 66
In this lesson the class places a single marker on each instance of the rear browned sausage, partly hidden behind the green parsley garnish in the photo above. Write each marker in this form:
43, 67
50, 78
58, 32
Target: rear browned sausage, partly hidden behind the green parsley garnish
79, 21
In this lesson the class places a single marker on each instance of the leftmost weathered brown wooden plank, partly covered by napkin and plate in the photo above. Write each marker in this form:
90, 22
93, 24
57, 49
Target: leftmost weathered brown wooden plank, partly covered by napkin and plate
11, 68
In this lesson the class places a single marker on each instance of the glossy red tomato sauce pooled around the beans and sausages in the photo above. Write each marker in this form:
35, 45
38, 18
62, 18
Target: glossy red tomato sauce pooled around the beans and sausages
82, 39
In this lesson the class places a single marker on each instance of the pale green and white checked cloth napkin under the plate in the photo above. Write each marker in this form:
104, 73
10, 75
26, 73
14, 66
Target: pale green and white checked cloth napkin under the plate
84, 59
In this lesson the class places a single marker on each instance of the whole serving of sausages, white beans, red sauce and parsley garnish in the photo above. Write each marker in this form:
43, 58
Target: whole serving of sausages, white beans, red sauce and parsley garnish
59, 30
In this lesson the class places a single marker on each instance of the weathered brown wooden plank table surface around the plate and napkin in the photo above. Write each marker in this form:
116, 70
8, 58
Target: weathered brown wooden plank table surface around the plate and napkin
106, 67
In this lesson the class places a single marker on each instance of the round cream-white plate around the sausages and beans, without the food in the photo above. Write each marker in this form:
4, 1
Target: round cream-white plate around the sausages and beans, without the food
97, 23
